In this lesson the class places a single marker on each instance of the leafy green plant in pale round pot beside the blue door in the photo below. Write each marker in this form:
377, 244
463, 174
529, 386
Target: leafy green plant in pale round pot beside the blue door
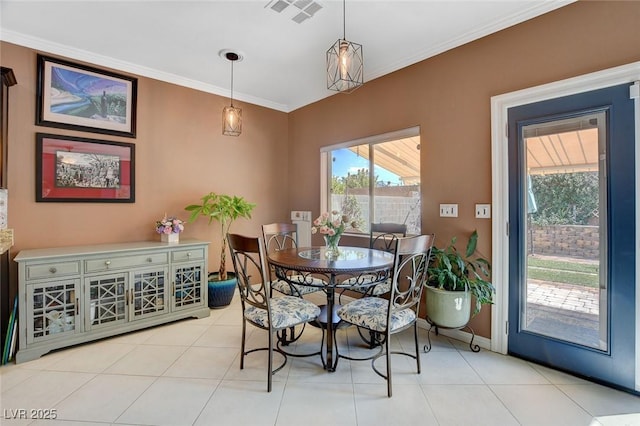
453, 278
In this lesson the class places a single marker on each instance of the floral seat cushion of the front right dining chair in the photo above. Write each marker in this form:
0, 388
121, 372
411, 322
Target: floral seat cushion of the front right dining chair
371, 313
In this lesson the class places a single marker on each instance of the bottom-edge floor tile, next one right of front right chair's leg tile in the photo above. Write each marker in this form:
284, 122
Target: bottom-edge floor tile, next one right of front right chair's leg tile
480, 406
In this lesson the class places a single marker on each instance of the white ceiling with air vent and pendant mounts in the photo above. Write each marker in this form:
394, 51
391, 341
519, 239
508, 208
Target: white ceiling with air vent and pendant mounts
284, 62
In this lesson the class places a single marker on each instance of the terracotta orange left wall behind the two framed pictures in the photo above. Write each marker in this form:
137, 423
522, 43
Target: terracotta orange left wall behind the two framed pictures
180, 155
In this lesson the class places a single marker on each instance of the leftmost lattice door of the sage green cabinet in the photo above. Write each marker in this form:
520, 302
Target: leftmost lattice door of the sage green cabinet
53, 309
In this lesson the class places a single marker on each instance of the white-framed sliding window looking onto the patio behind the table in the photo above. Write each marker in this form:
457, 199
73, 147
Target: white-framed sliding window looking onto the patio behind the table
375, 179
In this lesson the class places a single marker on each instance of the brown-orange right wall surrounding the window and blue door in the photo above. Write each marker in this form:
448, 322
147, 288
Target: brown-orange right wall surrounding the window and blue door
449, 95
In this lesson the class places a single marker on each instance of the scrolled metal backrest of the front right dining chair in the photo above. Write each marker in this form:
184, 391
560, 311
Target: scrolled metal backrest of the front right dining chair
409, 274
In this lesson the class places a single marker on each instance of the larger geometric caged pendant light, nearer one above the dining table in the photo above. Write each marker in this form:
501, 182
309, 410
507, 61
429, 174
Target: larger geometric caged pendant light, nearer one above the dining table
345, 63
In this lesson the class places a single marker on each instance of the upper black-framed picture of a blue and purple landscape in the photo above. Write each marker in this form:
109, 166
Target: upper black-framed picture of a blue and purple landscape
78, 97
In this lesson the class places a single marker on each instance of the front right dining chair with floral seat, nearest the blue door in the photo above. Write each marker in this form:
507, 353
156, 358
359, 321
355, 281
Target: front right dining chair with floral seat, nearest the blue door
385, 317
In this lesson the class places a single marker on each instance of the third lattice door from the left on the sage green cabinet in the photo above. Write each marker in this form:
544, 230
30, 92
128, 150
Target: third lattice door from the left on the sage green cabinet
148, 293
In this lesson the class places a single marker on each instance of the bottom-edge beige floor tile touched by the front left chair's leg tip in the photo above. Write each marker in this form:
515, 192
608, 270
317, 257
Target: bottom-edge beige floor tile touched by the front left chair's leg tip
242, 403
